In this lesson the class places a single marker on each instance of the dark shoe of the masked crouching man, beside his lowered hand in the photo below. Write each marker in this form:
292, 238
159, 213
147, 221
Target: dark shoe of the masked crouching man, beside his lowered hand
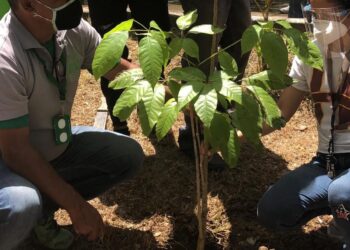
49, 235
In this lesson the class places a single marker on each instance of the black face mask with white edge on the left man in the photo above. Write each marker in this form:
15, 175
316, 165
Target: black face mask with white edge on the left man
65, 17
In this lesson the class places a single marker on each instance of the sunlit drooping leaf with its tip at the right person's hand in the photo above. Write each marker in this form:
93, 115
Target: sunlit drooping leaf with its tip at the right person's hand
270, 109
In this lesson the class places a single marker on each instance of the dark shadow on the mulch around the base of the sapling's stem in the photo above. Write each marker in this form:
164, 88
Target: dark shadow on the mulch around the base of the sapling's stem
166, 186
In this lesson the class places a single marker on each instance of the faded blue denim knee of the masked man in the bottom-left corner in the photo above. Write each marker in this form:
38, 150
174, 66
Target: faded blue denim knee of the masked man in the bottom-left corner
20, 208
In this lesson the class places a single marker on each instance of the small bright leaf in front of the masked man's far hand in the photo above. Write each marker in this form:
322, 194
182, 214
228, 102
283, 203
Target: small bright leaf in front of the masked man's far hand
126, 79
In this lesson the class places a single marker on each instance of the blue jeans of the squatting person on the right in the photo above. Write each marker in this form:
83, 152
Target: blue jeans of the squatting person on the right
306, 193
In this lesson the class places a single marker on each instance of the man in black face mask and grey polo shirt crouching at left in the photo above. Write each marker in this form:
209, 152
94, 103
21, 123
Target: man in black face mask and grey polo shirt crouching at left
44, 163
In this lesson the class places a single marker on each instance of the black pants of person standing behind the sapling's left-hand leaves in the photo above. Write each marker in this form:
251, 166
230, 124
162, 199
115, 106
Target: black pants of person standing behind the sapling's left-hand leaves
106, 14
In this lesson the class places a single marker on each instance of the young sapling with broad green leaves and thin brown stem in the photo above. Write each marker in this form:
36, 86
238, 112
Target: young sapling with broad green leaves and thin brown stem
194, 91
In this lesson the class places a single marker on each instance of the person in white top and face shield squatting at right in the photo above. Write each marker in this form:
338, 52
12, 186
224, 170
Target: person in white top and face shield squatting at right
322, 185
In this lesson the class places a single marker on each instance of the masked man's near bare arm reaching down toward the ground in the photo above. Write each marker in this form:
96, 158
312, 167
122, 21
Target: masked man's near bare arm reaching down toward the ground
18, 153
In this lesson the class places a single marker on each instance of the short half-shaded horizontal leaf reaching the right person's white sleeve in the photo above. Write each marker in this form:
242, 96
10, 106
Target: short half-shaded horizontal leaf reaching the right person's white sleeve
267, 80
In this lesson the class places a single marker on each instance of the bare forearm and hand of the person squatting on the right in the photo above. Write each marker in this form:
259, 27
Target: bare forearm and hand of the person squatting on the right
288, 103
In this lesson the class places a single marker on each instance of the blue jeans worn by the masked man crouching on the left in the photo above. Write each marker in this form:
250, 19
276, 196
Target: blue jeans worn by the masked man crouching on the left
95, 161
